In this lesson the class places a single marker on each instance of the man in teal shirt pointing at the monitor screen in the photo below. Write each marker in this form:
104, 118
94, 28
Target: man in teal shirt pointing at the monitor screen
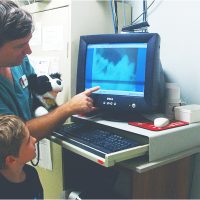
16, 27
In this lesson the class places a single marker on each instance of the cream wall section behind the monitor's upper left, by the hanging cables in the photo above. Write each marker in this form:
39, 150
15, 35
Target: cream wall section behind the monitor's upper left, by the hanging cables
95, 25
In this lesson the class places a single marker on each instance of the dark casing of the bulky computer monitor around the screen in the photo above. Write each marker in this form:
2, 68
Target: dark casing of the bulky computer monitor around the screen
154, 78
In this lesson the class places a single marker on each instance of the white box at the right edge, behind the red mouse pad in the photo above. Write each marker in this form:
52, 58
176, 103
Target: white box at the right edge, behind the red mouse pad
188, 113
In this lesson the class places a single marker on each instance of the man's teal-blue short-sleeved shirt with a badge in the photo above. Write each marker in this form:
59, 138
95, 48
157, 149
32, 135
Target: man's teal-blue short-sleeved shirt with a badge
17, 93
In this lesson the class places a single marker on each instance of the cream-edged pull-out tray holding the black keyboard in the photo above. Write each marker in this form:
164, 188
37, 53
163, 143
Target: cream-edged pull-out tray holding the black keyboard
104, 159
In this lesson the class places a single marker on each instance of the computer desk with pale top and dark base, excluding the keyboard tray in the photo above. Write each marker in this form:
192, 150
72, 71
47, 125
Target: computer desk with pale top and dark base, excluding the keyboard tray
163, 174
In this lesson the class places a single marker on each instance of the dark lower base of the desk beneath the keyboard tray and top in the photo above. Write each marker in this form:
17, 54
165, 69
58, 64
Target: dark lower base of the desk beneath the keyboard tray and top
170, 181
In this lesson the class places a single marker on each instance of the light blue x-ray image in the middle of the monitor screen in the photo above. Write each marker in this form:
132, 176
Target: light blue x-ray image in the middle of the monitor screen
114, 69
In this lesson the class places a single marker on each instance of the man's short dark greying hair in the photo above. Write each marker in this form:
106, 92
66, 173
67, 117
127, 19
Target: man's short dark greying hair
15, 23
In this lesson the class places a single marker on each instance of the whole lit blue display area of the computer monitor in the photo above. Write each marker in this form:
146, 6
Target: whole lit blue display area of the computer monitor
115, 67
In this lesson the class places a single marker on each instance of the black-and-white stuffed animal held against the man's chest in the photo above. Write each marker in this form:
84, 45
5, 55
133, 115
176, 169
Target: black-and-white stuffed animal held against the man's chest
44, 90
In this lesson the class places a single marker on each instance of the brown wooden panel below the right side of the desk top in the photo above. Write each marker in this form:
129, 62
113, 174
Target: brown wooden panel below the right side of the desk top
170, 181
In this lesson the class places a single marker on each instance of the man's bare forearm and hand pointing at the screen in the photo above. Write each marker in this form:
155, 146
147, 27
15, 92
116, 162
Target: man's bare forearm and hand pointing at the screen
42, 126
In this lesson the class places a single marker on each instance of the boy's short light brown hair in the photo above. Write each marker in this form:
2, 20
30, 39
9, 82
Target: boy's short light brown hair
12, 133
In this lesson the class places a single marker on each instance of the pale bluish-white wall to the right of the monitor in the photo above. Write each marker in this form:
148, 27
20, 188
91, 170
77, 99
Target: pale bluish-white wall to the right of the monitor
178, 23
